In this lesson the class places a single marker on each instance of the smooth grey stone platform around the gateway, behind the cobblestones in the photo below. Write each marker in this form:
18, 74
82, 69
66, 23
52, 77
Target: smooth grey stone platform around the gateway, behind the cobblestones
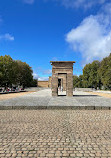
43, 100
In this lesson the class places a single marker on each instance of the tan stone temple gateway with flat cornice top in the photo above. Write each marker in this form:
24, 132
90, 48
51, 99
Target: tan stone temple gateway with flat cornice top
62, 76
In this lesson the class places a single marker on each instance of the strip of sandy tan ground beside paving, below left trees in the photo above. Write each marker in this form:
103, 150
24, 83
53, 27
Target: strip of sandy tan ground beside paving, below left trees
12, 95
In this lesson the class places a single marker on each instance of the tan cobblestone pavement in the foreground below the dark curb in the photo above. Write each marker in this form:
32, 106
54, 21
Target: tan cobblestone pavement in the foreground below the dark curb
55, 134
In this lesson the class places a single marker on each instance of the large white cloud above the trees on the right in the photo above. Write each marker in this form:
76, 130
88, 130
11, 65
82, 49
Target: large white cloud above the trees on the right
92, 38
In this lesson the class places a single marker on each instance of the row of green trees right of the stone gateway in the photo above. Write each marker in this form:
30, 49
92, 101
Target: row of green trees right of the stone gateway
95, 74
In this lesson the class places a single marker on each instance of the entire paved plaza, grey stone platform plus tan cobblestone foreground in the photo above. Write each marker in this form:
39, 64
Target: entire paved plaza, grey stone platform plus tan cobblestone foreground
55, 132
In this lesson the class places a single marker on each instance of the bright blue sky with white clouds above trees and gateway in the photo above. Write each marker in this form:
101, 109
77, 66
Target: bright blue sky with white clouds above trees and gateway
38, 31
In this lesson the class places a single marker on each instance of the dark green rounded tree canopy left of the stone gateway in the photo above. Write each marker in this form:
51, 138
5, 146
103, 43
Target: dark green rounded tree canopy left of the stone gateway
15, 72
